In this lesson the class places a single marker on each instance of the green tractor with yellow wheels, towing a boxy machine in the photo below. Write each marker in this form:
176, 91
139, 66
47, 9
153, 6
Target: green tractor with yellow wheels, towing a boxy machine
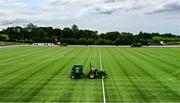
96, 73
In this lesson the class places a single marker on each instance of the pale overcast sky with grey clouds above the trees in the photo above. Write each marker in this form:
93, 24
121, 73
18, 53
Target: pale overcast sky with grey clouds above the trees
102, 15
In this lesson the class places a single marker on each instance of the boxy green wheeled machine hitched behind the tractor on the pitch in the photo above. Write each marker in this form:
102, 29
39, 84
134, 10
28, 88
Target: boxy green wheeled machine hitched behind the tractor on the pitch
77, 72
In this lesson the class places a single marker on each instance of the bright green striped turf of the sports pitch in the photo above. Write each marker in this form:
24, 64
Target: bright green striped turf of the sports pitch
41, 74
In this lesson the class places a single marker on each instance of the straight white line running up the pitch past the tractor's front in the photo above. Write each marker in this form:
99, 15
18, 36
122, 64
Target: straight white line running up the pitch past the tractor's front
103, 88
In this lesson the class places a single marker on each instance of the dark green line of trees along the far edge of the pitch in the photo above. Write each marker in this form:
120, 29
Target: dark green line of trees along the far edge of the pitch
75, 36
